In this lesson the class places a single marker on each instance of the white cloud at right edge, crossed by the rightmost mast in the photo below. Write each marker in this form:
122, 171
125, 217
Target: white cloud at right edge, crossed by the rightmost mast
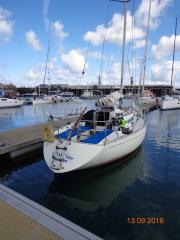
165, 46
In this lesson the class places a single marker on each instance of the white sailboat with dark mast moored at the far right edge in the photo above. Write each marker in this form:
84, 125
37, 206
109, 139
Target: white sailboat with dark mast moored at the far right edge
170, 102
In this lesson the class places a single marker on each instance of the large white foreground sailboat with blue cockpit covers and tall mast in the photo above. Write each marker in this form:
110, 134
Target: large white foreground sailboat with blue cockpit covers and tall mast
99, 136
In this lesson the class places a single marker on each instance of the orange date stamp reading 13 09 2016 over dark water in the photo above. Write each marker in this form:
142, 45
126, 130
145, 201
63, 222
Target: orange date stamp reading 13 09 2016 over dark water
145, 220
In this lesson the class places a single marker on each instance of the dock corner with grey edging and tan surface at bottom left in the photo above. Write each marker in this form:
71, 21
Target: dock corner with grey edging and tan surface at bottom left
23, 219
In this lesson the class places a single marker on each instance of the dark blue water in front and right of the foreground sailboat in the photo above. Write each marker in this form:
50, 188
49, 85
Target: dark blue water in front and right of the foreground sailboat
147, 185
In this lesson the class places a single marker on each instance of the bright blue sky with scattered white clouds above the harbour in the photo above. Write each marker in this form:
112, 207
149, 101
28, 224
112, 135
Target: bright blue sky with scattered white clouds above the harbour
87, 36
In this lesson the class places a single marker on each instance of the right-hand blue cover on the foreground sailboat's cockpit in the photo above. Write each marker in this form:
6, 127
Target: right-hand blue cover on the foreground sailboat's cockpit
97, 137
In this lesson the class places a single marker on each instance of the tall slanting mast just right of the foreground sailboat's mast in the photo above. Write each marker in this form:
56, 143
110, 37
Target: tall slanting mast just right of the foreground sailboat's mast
145, 50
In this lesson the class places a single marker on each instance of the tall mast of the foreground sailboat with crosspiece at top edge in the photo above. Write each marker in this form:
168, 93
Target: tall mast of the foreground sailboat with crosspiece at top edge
124, 39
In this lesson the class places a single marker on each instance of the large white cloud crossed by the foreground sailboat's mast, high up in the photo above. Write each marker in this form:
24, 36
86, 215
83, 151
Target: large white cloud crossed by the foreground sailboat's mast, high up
114, 31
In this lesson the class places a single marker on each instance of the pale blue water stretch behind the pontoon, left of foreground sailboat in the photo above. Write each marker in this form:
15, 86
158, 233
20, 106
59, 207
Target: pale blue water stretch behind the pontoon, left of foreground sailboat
32, 114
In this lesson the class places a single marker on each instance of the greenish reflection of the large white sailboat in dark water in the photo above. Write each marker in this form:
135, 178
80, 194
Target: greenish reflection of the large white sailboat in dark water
100, 190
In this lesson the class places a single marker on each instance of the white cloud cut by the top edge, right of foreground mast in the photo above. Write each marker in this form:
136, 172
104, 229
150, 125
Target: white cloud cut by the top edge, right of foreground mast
157, 10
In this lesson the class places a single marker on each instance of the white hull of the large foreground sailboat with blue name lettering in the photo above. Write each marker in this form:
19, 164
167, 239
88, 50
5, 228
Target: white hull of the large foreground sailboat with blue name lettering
78, 156
